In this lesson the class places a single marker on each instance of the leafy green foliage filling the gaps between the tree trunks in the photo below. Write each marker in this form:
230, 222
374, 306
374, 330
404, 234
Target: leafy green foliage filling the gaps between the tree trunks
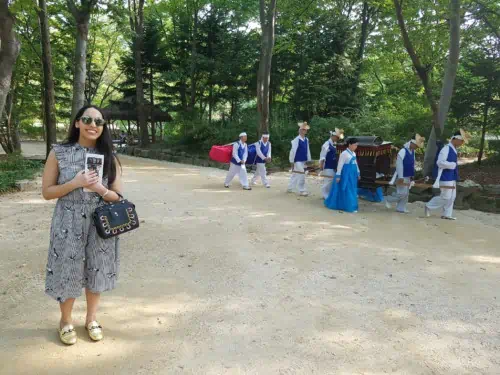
313, 68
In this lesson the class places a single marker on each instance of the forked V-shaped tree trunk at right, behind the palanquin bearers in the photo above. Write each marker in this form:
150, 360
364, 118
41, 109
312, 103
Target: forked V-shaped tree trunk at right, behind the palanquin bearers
439, 113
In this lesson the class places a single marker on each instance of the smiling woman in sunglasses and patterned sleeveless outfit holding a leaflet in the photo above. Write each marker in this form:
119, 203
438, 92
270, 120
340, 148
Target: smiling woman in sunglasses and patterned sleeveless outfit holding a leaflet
78, 258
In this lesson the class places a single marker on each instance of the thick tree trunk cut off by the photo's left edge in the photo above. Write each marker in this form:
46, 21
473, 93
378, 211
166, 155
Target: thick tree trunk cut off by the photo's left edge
9, 50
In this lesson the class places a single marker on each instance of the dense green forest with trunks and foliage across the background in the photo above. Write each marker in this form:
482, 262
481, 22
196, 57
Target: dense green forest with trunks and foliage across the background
196, 72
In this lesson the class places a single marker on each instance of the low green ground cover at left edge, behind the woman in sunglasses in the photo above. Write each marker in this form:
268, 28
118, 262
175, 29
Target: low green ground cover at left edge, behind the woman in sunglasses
14, 168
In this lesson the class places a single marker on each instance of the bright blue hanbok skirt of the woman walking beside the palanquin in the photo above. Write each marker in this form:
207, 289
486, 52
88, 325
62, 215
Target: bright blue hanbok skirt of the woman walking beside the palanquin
344, 194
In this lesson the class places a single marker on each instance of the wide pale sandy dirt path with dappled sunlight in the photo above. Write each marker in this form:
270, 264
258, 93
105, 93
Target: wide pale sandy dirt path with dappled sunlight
232, 282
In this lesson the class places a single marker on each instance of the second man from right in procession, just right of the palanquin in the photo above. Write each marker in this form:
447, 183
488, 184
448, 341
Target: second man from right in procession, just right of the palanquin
405, 171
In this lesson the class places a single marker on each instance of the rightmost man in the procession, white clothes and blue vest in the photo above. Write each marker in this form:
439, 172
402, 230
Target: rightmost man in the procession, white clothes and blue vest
447, 177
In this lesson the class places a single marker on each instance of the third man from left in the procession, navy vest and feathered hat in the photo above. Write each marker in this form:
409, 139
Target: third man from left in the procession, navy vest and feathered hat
300, 154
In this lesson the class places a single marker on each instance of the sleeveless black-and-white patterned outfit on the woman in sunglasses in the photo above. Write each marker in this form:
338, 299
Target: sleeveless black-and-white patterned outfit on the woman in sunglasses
78, 258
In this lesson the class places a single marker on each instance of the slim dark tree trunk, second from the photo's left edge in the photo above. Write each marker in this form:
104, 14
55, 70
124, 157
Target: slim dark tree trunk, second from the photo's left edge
48, 78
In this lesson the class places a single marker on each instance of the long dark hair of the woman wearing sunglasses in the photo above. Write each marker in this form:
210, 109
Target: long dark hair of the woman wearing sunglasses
104, 144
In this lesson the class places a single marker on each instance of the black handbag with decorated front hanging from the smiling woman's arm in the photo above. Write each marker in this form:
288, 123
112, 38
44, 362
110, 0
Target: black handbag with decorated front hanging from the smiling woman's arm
115, 218
